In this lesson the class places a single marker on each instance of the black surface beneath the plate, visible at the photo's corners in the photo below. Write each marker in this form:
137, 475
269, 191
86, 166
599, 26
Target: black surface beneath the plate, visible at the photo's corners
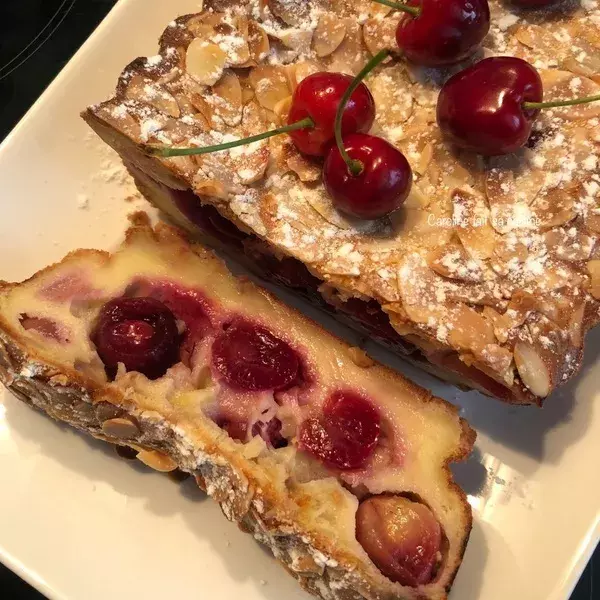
37, 38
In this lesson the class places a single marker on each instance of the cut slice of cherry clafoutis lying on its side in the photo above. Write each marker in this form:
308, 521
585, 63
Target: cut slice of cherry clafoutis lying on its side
338, 464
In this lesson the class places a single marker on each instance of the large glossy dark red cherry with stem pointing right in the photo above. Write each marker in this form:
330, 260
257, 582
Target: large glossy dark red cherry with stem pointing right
481, 108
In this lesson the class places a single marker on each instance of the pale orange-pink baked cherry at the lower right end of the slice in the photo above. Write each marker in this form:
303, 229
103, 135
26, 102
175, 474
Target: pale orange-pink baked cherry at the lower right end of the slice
402, 537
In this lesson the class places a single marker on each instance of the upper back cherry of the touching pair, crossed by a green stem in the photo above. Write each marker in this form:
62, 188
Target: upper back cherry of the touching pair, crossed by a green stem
318, 97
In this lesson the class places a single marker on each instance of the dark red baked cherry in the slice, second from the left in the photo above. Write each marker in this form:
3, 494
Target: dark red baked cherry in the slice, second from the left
251, 358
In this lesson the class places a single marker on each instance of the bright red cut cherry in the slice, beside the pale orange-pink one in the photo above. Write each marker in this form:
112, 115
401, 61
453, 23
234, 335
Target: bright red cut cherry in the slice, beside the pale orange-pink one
345, 435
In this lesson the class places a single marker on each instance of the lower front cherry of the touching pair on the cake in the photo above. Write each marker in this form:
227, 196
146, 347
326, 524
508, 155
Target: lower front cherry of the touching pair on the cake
380, 189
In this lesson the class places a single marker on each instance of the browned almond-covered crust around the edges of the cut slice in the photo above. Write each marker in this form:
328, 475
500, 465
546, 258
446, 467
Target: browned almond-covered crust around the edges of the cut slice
104, 412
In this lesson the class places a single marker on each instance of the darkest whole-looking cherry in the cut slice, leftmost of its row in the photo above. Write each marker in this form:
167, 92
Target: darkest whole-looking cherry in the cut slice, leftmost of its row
141, 333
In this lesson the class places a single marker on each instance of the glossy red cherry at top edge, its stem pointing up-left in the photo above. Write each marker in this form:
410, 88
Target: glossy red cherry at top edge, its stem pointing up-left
446, 31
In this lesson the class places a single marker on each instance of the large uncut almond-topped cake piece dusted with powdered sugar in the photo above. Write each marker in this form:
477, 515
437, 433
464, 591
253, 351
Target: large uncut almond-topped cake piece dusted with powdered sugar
489, 273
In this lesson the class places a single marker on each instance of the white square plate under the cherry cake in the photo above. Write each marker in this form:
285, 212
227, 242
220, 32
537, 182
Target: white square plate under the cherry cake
79, 524
